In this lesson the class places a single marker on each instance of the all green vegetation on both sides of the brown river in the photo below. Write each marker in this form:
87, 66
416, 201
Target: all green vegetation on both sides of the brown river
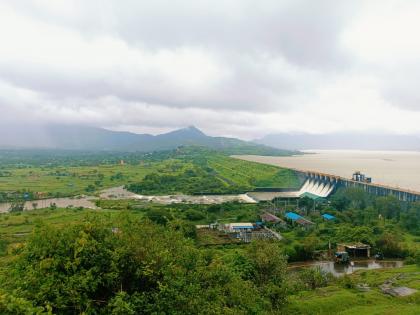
133, 256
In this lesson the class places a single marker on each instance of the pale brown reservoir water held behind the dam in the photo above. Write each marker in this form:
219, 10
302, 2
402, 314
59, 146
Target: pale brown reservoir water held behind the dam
400, 169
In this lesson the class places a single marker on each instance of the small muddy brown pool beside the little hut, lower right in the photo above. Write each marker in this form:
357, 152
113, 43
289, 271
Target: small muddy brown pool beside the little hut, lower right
342, 269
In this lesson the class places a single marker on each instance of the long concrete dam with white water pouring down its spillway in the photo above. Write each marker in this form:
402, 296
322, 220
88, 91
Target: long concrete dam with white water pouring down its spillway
321, 185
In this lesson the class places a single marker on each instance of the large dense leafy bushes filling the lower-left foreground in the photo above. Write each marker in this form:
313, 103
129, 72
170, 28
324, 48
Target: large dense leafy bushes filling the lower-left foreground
131, 266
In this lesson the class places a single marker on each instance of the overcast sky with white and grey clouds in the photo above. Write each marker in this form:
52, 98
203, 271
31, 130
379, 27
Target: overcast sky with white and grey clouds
241, 68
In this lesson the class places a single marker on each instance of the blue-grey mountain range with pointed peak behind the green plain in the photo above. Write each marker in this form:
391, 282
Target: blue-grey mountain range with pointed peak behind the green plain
98, 139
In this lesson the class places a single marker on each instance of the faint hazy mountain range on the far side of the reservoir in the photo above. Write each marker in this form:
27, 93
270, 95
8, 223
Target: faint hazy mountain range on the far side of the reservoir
341, 141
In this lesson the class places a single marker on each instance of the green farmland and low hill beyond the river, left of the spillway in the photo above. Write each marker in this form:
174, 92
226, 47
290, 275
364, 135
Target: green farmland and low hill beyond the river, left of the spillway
170, 173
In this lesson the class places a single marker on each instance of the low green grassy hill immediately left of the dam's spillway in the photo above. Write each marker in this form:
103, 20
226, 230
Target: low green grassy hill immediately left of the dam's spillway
199, 171
